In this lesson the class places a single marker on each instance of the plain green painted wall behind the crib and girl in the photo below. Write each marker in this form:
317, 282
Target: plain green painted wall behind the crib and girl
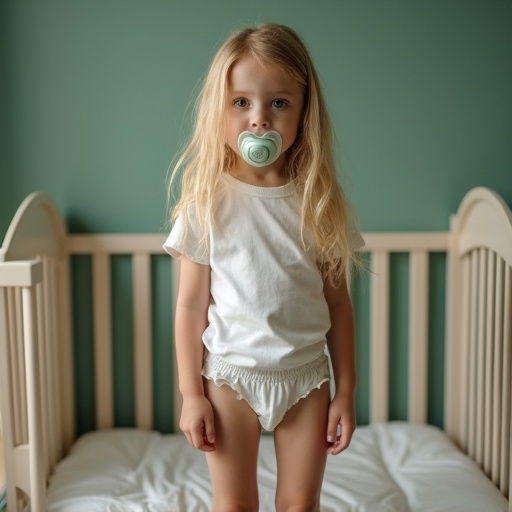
95, 97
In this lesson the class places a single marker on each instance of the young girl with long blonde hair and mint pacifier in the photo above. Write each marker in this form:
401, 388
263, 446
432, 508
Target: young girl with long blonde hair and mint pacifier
266, 246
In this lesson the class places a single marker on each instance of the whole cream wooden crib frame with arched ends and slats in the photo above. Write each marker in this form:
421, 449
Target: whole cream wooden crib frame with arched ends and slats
36, 360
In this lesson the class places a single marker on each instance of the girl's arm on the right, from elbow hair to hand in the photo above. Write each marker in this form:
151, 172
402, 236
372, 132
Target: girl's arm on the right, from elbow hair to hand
341, 344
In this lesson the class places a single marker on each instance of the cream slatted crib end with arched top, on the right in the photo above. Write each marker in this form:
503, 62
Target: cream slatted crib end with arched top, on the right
479, 334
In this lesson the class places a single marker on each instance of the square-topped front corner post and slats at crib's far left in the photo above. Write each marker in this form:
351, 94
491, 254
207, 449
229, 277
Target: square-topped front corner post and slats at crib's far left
24, 449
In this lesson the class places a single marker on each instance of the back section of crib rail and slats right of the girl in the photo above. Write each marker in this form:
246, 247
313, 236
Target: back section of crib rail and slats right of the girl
415, 252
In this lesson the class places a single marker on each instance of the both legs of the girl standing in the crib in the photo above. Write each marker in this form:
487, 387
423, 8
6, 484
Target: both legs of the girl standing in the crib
301, 450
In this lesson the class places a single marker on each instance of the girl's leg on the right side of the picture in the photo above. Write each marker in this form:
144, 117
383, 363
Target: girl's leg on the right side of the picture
301, 451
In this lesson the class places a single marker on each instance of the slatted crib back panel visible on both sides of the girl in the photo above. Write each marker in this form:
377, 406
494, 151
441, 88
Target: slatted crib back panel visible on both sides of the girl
112, 406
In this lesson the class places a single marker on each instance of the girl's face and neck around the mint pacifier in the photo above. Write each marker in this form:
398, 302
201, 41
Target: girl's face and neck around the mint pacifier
262, 98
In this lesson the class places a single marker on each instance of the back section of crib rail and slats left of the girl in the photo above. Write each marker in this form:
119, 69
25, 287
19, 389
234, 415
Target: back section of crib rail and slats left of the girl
126, 392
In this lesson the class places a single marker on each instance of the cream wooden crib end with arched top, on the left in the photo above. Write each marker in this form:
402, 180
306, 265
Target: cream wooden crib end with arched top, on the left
35, 351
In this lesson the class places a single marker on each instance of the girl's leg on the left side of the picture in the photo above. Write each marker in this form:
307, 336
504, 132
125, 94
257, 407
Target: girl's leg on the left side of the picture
233, 463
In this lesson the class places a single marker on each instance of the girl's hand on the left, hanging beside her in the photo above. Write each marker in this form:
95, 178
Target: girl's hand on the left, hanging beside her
197, 424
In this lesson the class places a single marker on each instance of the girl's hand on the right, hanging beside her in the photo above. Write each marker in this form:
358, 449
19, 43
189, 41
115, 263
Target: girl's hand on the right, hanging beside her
341, 424
